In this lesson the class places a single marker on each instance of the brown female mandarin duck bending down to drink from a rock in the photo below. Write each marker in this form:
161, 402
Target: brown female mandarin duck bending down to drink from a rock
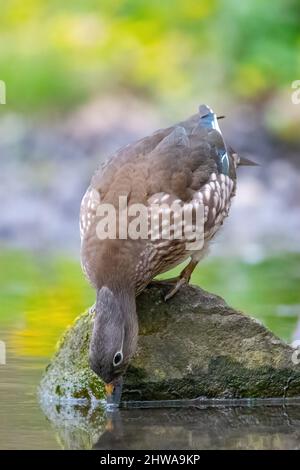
188, 164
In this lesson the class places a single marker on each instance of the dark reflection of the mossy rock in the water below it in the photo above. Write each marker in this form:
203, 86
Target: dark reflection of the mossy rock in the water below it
208, 427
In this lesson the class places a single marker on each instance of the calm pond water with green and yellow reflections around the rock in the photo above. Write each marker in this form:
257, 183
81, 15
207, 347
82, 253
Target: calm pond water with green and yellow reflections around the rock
40, 296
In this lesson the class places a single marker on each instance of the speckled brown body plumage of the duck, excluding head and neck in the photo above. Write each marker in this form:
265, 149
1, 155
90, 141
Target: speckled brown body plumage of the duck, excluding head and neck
177, 163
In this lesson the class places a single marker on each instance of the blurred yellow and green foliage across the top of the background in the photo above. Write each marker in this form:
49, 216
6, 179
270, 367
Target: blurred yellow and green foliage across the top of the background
55, 55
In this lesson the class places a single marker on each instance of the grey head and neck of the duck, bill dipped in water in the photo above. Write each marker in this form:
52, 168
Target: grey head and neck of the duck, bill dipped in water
114, 338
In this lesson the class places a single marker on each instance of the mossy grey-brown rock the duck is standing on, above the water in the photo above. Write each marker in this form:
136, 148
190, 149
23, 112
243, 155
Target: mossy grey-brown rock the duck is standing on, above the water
194, 345
